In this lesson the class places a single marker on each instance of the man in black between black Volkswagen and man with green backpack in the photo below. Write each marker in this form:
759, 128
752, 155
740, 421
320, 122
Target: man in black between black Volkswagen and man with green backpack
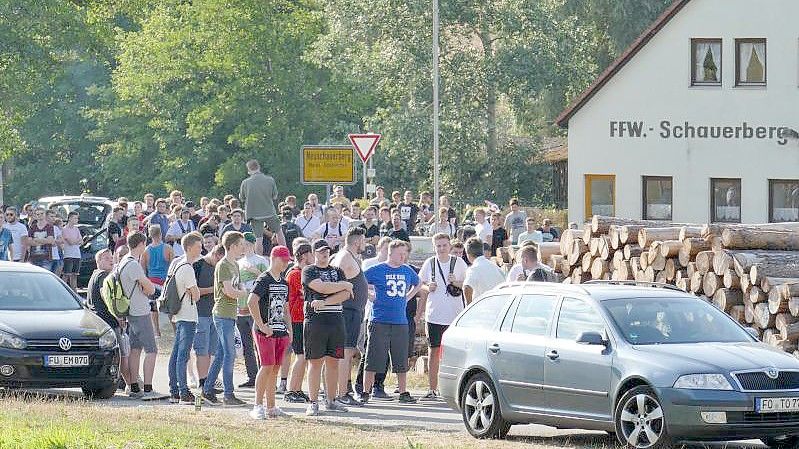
105, 263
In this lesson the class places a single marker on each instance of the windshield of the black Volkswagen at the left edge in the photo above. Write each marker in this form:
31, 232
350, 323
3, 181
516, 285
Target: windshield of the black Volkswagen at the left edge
34, 291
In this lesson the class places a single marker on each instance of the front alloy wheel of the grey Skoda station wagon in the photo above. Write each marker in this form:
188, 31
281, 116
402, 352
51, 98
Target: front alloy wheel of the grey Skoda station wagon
640, 422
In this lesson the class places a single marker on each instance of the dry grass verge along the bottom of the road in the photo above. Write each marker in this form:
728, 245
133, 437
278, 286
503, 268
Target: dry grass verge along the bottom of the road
37, 424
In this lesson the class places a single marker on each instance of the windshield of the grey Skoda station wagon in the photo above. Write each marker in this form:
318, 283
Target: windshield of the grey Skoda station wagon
653, 321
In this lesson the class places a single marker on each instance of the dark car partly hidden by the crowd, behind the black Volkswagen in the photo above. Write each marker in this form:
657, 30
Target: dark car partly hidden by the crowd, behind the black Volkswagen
93, 213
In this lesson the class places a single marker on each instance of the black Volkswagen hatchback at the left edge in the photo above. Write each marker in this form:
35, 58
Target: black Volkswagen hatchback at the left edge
49, 339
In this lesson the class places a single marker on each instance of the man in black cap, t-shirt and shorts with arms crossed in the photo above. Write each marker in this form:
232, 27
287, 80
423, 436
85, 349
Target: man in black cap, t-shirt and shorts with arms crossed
324, 332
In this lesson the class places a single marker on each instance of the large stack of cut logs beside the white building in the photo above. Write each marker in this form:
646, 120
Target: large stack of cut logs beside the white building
749, 271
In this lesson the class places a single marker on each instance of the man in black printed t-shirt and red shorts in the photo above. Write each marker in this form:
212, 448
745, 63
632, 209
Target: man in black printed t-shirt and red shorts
268, 304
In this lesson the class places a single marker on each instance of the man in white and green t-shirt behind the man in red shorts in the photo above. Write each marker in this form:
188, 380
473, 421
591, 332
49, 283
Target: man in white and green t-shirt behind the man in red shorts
250, 267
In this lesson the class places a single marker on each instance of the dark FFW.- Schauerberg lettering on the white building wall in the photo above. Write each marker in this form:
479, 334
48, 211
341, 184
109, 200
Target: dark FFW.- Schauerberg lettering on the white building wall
688, 130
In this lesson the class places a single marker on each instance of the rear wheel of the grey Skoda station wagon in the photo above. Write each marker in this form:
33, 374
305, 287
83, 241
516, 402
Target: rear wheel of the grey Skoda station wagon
480, 409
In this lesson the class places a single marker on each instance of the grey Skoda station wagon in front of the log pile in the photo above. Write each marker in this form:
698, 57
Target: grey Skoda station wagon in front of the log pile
648, 362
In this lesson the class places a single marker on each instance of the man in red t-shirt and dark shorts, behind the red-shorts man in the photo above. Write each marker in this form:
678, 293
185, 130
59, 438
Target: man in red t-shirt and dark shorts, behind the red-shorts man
303, 255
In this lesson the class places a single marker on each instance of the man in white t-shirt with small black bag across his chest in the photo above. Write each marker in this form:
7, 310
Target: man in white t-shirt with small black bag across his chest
443, 276
